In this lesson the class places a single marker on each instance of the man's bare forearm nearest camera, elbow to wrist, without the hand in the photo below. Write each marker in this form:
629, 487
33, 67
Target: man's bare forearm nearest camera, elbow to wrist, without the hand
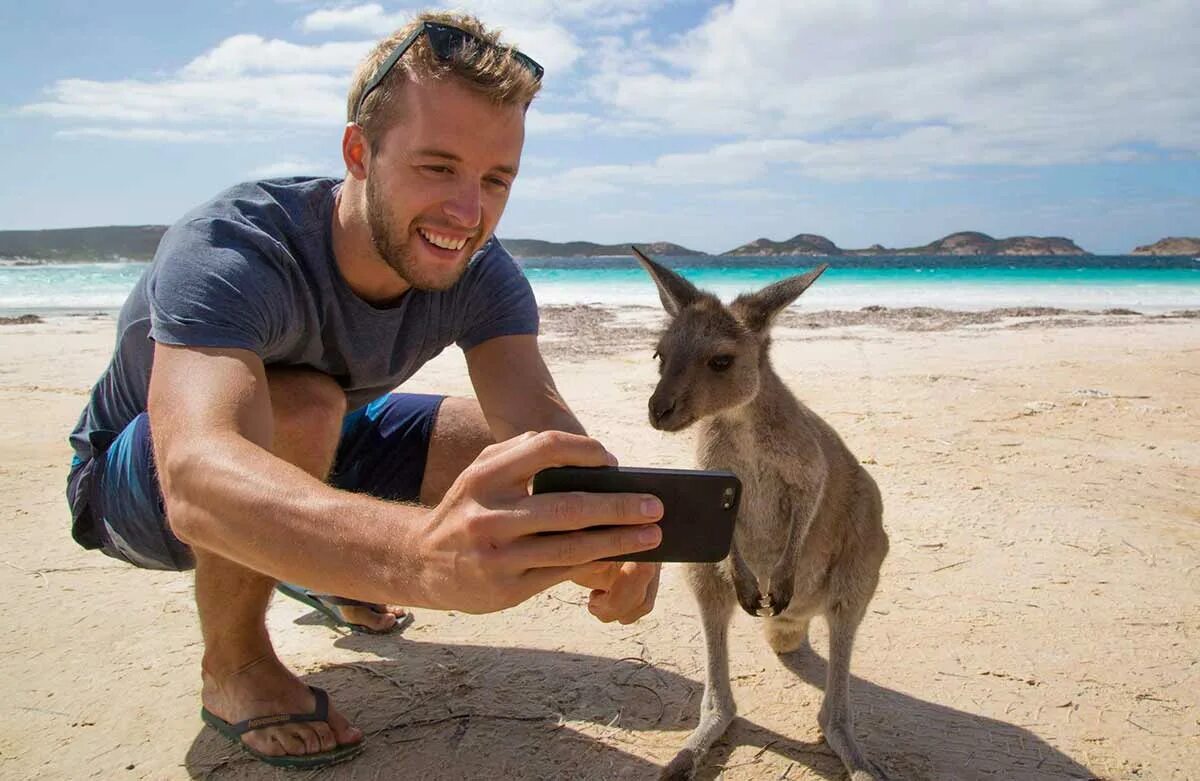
238, 501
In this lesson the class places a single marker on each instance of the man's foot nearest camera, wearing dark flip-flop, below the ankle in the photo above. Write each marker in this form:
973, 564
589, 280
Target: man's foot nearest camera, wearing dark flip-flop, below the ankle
266, 688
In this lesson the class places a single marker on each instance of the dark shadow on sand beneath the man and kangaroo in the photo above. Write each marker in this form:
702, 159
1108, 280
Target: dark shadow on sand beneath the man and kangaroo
437, 712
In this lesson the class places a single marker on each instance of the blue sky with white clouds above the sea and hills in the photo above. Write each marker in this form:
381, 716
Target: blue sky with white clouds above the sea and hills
704, 124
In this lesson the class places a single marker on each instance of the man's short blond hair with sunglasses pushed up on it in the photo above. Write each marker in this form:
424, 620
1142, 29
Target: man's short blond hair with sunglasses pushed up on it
490, 70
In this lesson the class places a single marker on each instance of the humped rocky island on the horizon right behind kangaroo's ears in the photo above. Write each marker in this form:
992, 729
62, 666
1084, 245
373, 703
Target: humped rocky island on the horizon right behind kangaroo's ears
968, 243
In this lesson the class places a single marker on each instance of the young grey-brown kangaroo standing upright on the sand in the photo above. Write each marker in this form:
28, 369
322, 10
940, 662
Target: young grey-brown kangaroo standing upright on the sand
809, 538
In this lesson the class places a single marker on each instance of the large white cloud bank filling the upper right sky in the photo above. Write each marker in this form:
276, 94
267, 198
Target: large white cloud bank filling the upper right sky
1015, 83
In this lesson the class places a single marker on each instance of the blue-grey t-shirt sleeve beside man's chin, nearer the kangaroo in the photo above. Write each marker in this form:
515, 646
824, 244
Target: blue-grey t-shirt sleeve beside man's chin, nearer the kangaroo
500, 301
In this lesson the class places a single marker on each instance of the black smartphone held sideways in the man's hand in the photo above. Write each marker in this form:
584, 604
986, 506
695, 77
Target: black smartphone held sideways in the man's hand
699, 508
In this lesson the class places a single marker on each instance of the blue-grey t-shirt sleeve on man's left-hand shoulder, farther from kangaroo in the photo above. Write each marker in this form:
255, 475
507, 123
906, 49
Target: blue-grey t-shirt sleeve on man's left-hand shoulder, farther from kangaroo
220, 283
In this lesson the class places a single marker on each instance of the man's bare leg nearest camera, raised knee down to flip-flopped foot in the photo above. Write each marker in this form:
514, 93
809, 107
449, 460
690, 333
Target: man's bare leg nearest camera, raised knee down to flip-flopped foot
243, 677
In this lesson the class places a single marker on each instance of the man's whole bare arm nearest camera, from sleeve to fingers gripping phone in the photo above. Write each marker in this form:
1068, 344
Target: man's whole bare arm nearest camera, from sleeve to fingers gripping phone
481, 550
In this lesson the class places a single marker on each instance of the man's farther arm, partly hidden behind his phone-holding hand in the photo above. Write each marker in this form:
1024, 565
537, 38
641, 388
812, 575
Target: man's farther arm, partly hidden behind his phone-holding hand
518, 395
